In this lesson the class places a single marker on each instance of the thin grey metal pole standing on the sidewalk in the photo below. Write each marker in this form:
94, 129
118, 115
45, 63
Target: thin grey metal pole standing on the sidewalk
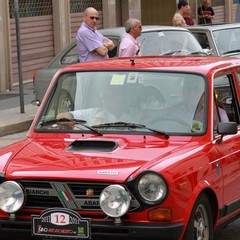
16, 8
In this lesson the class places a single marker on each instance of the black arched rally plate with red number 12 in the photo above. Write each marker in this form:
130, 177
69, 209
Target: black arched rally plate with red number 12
61, 222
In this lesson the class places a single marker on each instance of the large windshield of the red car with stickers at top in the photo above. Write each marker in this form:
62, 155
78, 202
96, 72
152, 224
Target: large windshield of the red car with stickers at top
126, 101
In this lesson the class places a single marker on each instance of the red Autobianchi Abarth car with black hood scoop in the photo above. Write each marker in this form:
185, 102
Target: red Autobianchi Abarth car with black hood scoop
126, 149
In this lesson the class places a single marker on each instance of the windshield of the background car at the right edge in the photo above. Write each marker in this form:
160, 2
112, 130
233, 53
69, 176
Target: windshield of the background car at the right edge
227, 40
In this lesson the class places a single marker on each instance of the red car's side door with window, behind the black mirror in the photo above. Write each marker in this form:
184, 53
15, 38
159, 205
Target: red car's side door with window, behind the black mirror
228, 164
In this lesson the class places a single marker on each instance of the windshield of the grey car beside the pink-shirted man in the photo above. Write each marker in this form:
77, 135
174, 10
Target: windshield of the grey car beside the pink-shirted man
168, 43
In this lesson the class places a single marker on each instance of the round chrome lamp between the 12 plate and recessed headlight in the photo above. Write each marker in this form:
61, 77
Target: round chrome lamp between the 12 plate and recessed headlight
115, 201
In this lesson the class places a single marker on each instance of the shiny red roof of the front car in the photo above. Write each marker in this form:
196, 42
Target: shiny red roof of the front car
201, 64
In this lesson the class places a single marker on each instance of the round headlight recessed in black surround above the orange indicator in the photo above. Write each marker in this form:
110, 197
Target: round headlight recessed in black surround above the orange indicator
152, 187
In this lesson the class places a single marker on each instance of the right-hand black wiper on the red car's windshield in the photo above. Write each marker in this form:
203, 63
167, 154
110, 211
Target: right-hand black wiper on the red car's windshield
129, 125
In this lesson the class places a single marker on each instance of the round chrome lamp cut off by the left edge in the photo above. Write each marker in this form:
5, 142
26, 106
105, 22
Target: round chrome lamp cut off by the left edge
11, 197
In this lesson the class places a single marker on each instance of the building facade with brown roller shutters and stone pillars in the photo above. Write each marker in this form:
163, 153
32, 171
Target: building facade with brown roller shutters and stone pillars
46, 26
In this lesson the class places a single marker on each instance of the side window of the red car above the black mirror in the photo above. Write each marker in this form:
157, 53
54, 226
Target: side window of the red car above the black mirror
226, 107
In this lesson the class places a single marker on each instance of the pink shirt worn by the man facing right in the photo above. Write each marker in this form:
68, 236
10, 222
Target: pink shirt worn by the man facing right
129, 46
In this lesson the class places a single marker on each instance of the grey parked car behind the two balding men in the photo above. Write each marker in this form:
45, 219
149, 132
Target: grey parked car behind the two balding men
155, 40
